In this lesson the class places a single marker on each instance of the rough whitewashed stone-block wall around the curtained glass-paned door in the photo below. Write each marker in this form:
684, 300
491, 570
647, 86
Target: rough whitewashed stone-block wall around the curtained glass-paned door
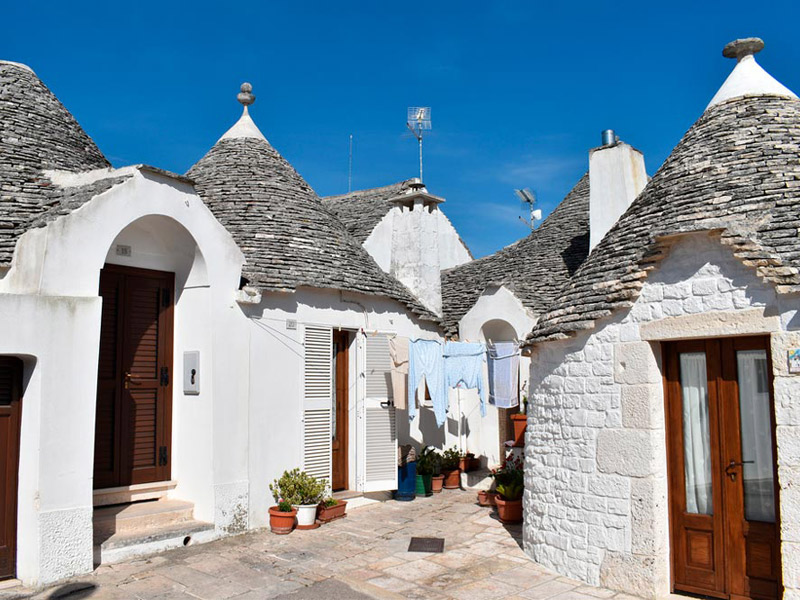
596, 505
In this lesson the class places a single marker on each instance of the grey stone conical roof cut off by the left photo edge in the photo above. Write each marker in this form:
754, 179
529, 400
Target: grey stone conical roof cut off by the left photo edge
36, 133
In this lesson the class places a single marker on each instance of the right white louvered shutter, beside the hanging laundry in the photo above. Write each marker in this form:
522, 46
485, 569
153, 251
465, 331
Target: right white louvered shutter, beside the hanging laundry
380, 431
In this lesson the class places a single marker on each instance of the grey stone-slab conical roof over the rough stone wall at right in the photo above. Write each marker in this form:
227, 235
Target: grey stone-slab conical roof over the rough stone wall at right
737, 172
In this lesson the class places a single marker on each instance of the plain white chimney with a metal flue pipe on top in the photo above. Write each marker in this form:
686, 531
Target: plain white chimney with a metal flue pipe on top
616, 176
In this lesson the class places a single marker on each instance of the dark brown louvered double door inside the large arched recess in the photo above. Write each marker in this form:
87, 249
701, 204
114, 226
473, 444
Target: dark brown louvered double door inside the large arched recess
133, 428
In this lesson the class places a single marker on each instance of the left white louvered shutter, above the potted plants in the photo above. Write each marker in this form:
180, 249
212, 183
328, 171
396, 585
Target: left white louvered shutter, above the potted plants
317, 401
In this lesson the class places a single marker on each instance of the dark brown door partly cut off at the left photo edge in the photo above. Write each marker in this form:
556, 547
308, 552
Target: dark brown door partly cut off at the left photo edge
10, 412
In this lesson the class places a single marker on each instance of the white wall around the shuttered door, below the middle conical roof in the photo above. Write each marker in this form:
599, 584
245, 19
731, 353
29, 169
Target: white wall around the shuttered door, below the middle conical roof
276, 374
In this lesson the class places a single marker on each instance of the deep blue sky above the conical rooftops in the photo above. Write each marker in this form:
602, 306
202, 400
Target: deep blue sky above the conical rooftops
520, 90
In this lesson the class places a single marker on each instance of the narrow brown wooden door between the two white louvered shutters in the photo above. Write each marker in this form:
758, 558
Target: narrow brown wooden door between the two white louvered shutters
339, 445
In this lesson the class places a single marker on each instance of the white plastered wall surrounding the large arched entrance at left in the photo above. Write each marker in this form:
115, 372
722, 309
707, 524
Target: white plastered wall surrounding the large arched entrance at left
51, 313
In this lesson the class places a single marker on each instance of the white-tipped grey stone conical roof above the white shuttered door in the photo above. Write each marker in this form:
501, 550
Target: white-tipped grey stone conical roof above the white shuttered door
288, 236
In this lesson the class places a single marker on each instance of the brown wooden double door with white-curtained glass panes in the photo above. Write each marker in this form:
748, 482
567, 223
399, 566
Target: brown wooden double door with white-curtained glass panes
722, 468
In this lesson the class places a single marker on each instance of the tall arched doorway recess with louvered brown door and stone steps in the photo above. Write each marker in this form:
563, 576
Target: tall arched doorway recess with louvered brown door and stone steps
156, 307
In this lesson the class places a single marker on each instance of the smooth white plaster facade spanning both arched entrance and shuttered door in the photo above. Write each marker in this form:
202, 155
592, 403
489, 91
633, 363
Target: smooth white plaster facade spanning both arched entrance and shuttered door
230, 440
